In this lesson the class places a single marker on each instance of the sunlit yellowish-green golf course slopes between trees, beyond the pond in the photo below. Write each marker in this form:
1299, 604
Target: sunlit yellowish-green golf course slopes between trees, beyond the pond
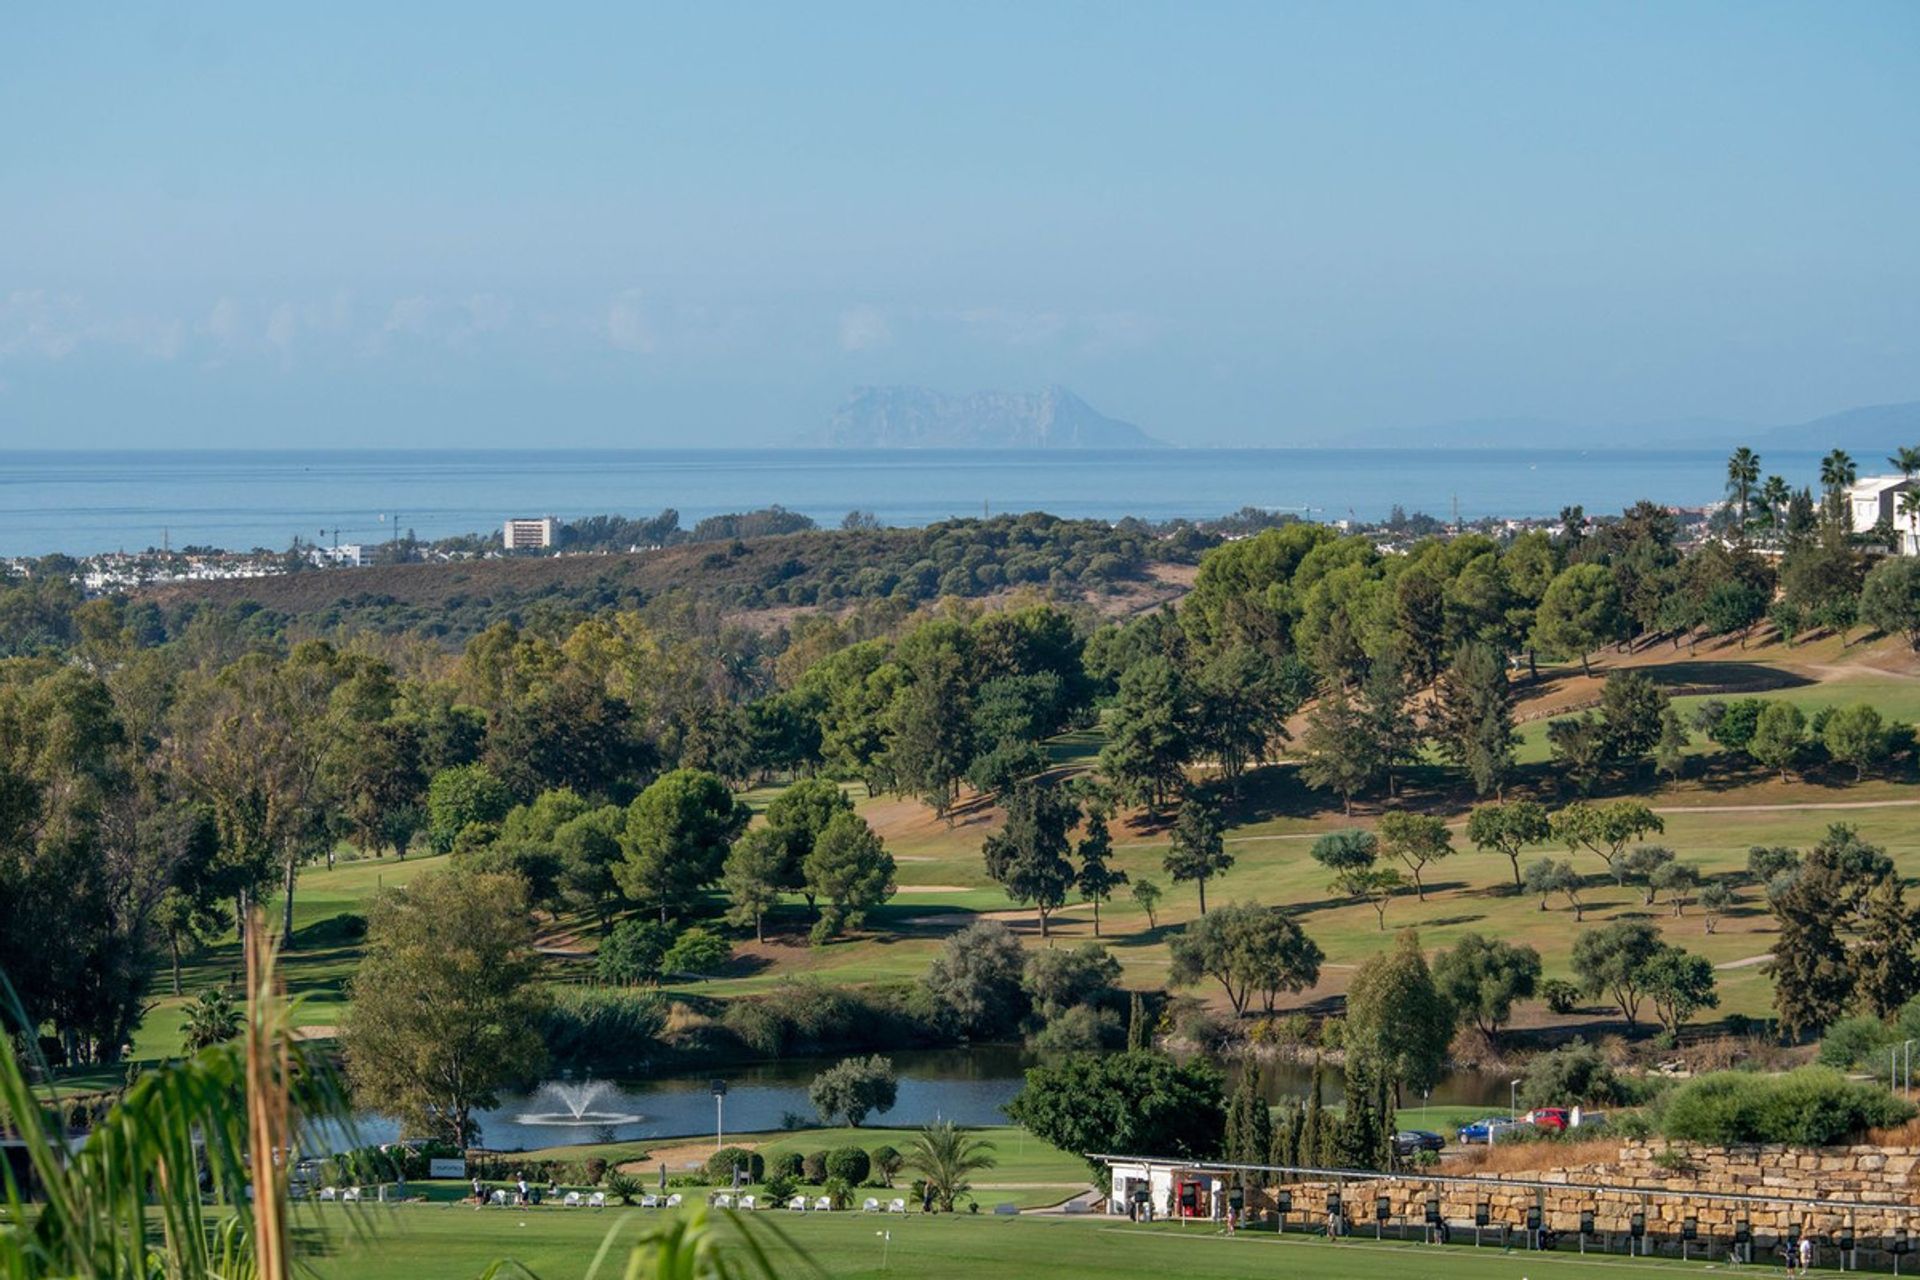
1710, 820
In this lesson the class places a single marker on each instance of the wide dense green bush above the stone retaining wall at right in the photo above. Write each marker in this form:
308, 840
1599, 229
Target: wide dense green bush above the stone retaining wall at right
1813, 1106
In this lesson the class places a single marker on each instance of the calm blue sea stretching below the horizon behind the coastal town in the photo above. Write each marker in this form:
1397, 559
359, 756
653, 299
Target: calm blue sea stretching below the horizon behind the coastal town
107, 502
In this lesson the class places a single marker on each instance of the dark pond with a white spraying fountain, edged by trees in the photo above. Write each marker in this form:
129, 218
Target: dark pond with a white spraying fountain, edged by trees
965, 1085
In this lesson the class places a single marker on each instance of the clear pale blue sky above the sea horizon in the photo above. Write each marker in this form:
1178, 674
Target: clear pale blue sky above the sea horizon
667, 225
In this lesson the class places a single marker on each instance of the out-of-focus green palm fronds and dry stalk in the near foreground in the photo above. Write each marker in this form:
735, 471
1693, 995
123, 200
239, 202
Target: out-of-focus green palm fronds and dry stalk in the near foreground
187, 1175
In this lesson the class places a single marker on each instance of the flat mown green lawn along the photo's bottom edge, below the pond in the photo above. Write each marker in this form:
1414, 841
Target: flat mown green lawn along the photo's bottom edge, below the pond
446, 1243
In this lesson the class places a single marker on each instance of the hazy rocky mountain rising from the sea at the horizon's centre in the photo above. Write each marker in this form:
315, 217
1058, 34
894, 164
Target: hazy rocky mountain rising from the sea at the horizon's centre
909, 417
